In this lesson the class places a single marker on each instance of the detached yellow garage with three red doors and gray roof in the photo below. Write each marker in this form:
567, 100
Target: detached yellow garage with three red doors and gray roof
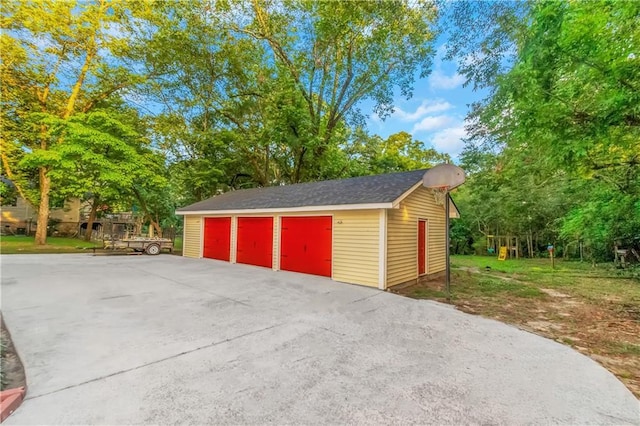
377, 231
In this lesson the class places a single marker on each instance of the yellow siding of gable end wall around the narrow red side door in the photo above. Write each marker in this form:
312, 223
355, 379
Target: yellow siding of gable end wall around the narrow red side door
402, 237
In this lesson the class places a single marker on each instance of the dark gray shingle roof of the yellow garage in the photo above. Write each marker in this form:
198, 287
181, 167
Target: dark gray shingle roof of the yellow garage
359, 190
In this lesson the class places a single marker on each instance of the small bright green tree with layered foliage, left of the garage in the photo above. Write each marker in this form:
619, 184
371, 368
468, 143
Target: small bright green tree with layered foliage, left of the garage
105, 153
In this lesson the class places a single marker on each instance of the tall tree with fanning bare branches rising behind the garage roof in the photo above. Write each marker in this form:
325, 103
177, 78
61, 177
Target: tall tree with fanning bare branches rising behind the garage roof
337, 54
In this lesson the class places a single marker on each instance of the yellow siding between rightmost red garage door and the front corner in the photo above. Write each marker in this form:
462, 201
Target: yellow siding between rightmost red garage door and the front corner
356, 240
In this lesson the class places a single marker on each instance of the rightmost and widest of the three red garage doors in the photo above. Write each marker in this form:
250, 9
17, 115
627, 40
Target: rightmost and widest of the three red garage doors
306, 245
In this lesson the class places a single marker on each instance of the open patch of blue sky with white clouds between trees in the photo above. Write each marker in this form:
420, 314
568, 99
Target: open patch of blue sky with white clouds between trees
436, 112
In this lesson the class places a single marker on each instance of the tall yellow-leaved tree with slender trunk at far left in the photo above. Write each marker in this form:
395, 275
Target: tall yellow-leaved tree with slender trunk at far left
58, 59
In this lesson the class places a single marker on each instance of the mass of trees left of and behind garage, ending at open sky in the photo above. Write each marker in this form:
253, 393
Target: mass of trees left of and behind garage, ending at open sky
156, 104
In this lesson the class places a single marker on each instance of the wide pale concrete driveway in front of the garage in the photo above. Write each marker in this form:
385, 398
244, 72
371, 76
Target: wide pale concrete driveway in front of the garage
164, 339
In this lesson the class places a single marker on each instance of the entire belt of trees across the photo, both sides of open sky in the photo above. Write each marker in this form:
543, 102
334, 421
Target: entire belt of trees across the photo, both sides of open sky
151, 105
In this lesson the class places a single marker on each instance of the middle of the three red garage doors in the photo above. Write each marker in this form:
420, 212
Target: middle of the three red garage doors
255, 241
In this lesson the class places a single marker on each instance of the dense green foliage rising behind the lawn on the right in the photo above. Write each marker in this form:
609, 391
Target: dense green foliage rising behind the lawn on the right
562, 113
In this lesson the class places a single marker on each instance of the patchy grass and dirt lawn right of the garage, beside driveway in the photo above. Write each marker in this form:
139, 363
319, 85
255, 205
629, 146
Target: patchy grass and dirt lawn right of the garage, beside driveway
594, 310
